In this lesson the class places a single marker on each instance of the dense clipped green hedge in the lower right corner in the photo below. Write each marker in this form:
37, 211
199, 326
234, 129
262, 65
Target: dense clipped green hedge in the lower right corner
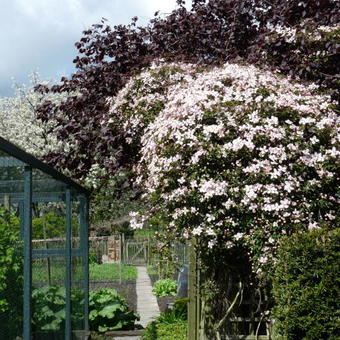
306, 286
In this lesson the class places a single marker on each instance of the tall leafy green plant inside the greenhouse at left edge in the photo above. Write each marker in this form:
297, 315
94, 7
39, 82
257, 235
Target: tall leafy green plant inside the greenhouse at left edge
11, 279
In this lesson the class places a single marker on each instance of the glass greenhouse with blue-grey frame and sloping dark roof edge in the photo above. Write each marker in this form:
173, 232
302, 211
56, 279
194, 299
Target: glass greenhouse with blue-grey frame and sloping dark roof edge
44, 277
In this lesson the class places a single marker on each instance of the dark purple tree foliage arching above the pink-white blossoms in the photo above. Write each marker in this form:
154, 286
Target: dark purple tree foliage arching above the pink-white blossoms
211, 33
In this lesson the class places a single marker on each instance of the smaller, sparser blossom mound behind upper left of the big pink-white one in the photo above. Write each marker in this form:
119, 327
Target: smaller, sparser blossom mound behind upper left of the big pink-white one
144, 97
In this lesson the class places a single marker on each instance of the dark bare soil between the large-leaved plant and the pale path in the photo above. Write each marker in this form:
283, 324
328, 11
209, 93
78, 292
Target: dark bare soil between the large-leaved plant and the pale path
127, 289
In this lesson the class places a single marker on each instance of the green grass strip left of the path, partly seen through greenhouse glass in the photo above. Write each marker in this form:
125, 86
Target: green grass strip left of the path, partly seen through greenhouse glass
97, 272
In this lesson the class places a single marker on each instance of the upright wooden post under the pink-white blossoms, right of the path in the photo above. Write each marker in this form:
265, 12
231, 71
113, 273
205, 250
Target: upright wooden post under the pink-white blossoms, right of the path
193, 308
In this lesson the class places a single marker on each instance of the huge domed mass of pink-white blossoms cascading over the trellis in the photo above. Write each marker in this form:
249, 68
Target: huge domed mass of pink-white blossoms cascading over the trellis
235, 155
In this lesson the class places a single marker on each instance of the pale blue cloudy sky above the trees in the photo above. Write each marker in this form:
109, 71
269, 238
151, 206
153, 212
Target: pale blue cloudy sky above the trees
39, 35
